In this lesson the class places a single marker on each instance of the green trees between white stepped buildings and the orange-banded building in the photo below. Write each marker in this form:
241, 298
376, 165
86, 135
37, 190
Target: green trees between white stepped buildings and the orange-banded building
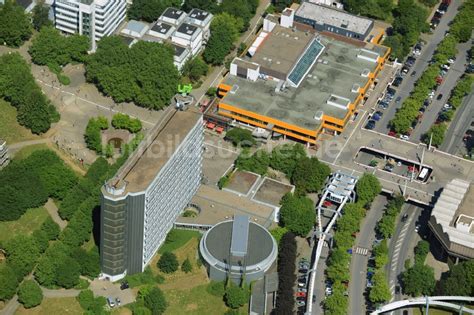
224, 31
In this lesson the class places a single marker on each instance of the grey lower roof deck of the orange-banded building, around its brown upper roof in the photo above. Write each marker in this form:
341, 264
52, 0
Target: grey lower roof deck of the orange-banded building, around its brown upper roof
336, 73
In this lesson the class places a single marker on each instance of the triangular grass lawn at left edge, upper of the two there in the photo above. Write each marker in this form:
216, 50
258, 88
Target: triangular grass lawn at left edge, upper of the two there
10, 130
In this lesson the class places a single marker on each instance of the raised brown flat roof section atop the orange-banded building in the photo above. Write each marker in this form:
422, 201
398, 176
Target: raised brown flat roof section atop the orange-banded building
281, 48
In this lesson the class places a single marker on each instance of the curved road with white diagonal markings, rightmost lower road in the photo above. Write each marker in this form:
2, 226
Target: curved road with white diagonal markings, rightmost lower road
401, 247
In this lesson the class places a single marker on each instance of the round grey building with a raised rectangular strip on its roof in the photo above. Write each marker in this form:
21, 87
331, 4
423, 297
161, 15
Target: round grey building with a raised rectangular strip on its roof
238, 249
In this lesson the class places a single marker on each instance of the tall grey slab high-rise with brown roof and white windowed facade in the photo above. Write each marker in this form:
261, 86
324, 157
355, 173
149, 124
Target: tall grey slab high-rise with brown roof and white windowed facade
141, 202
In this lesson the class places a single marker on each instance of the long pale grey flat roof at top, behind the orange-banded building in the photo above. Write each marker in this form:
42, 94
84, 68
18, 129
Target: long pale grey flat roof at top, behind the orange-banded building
334, 17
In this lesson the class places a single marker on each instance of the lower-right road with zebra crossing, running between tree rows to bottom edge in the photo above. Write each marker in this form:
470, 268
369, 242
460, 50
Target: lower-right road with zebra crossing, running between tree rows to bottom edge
364, 240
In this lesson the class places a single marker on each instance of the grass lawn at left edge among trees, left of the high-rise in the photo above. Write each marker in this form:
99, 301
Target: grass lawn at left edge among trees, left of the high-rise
26, 224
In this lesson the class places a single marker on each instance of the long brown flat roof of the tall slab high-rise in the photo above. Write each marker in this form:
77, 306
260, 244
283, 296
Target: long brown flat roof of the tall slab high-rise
145, 163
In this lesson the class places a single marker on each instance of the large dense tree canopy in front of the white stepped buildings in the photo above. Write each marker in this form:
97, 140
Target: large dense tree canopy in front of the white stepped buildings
144, 74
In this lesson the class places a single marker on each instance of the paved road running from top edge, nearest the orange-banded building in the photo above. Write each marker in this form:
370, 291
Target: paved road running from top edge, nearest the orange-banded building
420, 65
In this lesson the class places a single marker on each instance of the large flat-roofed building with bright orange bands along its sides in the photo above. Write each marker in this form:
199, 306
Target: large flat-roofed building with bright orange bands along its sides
298, 83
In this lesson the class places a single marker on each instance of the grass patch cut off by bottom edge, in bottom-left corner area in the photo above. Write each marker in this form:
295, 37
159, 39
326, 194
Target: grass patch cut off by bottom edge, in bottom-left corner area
52, 306
